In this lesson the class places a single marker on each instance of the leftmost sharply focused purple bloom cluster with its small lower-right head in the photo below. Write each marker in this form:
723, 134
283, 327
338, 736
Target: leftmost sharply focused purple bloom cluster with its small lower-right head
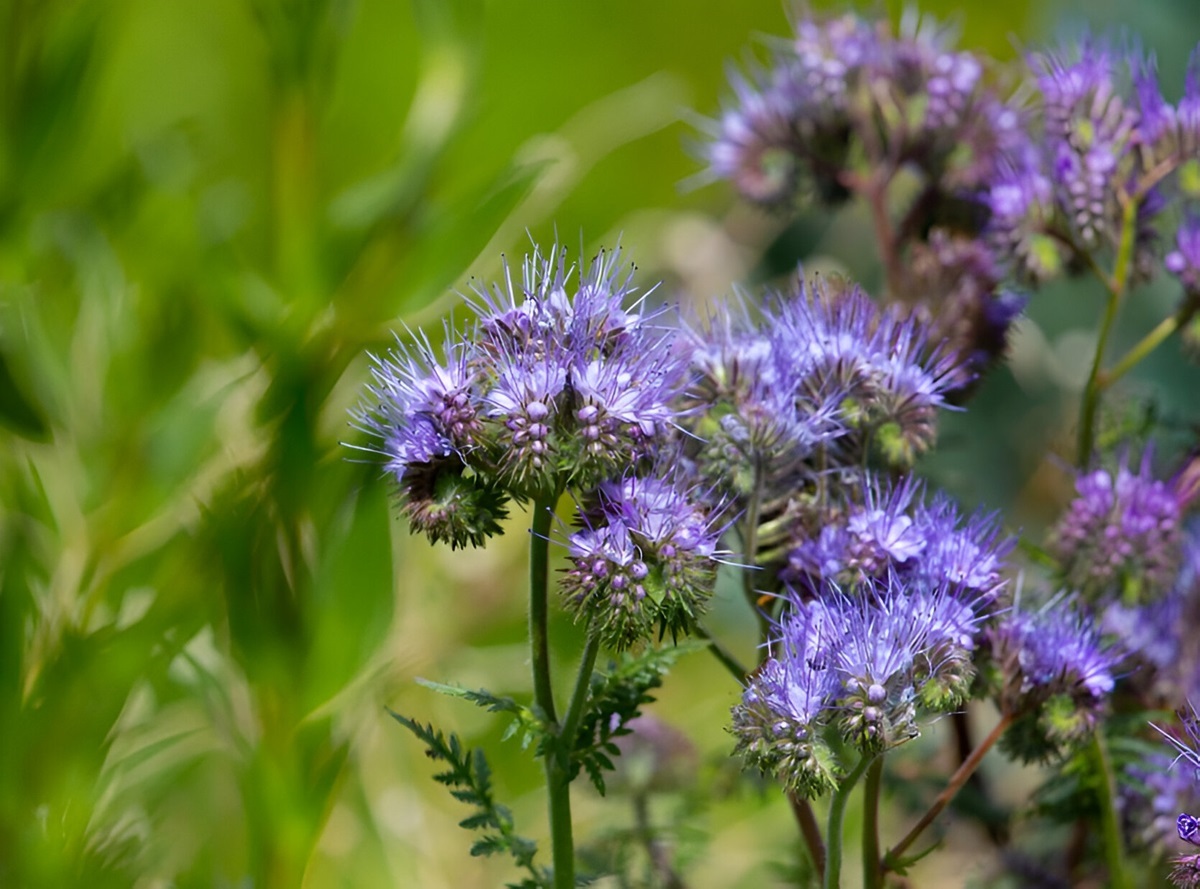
549, 392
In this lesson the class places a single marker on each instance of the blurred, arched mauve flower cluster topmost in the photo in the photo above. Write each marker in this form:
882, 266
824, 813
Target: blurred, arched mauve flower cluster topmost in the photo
843, 82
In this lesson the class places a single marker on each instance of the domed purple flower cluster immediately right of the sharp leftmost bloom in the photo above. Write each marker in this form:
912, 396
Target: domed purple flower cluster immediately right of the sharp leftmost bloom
825, 373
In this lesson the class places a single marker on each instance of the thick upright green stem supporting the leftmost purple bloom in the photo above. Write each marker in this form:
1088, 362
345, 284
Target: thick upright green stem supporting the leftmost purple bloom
557, 756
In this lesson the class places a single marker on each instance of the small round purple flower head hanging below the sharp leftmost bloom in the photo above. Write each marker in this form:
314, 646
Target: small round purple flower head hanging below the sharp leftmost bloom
643, 561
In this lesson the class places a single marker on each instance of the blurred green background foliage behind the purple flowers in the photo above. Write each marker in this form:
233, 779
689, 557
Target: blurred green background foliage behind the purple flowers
211, 211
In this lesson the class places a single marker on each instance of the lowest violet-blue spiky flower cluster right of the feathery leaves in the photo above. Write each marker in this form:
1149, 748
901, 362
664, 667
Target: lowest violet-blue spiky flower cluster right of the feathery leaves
860, 665
